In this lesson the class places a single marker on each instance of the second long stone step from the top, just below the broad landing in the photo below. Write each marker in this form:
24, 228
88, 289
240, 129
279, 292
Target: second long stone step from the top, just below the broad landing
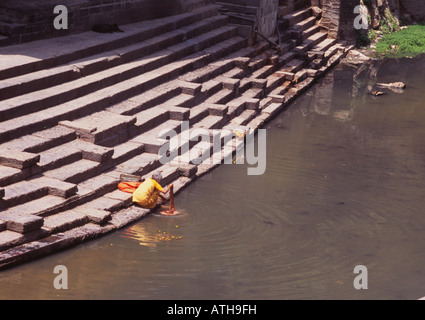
43, 79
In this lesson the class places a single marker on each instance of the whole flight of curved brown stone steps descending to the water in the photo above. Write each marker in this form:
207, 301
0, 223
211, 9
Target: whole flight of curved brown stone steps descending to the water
77, 112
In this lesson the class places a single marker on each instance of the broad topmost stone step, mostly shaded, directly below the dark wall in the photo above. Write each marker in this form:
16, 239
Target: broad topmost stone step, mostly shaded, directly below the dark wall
53, 52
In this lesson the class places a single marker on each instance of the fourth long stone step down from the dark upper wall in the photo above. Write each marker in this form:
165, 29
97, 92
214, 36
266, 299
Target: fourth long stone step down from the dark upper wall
100, 99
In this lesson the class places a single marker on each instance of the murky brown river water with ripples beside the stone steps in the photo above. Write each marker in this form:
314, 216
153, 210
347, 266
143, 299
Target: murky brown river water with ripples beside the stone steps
344, 186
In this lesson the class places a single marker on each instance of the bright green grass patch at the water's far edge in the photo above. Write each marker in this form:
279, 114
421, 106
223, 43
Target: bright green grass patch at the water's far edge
406, 42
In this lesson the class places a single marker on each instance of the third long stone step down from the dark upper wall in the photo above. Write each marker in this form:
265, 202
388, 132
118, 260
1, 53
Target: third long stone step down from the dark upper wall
24, 104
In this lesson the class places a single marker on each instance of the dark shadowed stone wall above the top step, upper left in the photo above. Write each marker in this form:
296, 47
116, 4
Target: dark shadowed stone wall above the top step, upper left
27, 20
